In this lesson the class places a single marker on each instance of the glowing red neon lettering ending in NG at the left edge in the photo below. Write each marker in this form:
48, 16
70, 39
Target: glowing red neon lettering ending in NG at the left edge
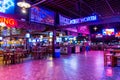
8, 21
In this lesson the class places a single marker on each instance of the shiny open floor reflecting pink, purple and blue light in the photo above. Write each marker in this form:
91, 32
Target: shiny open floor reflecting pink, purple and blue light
87, 66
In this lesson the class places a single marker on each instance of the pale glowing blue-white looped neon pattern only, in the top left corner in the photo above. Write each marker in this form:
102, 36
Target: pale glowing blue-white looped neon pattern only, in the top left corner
5, 5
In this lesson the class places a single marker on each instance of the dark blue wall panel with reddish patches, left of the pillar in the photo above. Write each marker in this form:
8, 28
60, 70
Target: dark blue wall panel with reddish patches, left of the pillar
42, 15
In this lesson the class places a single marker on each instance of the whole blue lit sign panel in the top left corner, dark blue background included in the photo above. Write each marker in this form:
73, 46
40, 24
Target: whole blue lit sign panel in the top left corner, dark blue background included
7, 6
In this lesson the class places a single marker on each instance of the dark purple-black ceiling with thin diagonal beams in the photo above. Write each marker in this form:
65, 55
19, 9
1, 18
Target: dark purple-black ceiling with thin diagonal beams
82, 8
